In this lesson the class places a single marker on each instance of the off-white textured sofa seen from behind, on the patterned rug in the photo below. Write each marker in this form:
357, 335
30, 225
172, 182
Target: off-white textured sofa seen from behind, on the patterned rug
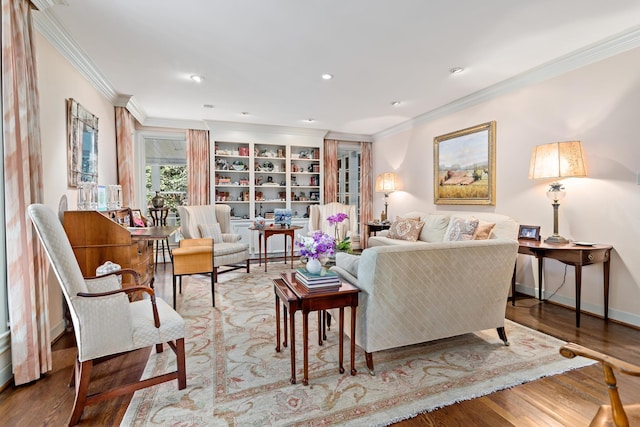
413, 292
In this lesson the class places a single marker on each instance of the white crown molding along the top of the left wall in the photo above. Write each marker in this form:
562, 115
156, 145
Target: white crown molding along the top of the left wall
48, 25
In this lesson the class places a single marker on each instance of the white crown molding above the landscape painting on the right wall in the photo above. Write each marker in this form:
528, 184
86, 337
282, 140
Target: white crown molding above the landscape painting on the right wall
595, 52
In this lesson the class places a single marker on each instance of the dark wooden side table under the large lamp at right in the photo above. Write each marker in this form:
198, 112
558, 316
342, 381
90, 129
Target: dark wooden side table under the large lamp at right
569, 254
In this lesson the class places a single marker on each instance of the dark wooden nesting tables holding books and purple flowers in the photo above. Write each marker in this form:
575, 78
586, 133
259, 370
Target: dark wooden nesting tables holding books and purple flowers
346, 296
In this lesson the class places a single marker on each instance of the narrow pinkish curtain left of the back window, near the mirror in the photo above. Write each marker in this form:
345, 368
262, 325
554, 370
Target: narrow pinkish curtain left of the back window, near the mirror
125, 154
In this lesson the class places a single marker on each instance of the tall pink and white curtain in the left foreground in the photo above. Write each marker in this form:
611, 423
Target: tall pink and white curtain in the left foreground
26, 265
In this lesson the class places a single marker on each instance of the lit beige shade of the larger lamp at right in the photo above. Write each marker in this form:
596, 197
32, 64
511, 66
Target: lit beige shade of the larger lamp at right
557, 160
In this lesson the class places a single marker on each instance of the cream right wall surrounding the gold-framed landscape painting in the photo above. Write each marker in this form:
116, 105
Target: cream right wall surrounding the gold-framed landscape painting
597, 105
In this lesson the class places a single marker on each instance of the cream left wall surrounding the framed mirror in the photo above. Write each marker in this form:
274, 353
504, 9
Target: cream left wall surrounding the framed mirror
57, 81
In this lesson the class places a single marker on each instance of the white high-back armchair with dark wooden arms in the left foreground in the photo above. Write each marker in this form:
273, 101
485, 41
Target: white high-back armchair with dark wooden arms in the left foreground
105, 322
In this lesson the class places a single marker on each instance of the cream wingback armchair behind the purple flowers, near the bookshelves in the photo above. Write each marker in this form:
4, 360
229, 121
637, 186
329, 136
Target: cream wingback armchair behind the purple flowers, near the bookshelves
318, 215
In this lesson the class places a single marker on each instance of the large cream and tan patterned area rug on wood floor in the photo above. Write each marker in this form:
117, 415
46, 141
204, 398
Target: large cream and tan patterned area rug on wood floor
235, 376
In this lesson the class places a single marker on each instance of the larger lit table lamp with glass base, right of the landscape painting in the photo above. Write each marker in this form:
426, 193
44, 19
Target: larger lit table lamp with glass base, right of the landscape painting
556, 161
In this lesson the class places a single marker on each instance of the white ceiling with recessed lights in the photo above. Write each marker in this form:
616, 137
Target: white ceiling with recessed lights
265, 58
